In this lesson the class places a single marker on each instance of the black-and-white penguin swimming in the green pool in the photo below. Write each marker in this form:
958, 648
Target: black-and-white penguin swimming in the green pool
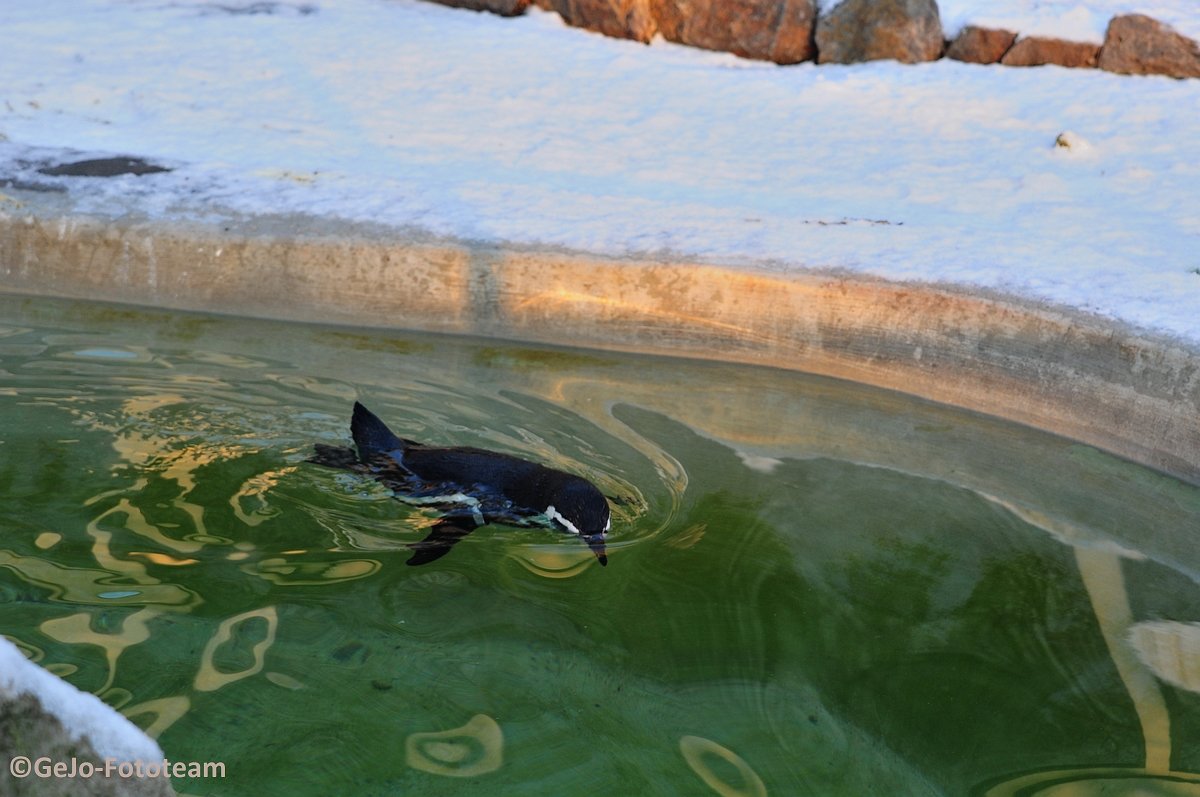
470, 487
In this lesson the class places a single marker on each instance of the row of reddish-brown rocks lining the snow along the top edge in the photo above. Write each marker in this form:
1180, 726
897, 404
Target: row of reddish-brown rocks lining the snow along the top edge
790, 32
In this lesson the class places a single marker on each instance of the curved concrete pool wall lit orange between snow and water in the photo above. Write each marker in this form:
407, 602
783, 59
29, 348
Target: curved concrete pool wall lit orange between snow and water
1059, 370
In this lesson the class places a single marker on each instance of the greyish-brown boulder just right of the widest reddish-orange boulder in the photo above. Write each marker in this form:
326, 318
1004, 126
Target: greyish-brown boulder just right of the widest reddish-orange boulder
867, 31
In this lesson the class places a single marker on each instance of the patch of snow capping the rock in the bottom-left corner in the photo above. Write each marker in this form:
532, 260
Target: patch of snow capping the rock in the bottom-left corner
85, 716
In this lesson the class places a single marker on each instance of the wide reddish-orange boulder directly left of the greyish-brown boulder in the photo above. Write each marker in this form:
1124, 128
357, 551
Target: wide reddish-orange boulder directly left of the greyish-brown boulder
771, 31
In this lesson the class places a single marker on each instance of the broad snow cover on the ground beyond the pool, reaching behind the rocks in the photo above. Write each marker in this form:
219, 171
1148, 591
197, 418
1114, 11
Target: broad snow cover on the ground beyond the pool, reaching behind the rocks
527, 133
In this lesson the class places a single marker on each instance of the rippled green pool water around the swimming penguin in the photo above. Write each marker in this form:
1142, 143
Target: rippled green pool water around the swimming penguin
814, 589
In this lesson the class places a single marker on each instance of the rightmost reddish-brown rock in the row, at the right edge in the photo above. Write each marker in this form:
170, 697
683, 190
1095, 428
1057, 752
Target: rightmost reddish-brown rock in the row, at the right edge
1138, 45
